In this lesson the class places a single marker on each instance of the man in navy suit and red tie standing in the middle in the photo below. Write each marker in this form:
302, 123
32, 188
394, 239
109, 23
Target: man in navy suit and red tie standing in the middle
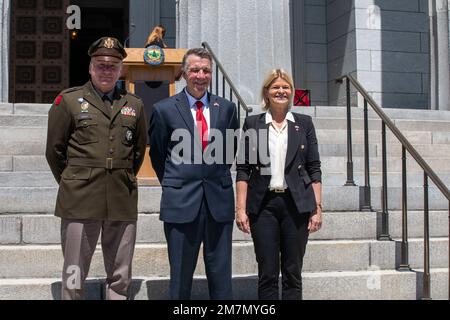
197, 203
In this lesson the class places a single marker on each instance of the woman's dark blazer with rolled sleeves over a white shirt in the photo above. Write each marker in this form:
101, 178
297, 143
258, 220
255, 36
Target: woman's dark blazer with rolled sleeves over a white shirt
302, 162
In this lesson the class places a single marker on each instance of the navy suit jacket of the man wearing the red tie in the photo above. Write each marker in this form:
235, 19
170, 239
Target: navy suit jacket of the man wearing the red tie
184, 185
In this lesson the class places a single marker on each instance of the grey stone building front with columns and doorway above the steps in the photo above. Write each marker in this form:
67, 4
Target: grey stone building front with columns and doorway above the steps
398, 50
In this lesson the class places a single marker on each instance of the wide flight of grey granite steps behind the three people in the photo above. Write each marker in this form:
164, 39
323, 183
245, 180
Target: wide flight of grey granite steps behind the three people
343, 260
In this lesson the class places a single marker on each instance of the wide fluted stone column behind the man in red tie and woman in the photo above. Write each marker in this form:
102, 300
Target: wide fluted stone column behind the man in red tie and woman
249, 37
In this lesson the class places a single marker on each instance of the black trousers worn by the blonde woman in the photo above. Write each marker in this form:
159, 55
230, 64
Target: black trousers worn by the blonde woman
280, 235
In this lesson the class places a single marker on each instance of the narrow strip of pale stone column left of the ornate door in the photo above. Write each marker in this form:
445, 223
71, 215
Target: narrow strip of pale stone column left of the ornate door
4, 49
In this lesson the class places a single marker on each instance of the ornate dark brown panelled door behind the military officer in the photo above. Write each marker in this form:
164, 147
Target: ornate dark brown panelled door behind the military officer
40, 46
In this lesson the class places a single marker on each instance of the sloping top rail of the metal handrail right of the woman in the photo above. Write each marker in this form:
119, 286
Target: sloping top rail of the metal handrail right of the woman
431, 174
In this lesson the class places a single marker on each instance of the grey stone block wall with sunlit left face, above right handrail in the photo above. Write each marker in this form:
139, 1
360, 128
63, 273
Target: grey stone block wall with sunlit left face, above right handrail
392, 51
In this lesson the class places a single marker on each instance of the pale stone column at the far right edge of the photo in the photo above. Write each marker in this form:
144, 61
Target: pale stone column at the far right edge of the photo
439, 47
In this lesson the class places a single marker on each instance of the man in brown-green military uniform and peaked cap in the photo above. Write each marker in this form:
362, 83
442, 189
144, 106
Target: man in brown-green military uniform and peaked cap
96, 143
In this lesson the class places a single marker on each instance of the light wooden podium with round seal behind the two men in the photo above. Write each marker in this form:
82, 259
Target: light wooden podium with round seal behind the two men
135, 69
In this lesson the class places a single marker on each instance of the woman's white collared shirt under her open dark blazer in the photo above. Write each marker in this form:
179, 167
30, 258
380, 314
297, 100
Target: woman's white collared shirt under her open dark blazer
278, 139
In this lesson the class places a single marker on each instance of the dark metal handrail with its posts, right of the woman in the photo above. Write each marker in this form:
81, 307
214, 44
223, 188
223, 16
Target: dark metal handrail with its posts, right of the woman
383, 233
